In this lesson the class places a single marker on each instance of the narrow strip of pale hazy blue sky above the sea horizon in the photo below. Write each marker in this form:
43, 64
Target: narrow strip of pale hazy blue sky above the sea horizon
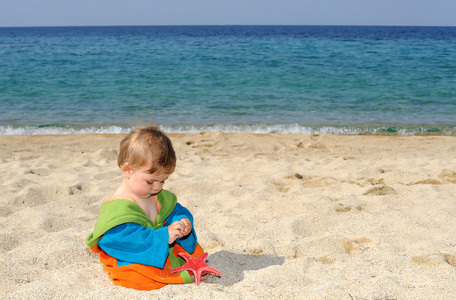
19, 13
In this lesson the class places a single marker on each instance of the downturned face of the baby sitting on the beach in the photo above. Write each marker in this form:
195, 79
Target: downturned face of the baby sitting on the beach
143, 184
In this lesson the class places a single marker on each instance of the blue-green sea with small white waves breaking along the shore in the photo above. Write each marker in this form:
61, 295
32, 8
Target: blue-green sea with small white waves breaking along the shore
346, 80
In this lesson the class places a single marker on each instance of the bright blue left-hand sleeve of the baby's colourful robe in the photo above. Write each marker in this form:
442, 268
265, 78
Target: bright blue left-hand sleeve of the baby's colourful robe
133, 243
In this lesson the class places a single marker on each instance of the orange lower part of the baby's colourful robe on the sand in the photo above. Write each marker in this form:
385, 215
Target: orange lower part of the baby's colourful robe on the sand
143, 277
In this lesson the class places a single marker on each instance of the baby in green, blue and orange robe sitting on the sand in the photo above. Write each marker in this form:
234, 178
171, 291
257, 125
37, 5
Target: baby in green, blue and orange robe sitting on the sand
141, 228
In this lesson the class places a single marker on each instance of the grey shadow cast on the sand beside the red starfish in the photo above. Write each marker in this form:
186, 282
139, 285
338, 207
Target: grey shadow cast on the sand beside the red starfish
233, 265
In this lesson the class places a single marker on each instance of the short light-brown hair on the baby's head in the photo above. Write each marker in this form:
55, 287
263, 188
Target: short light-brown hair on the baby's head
147, 146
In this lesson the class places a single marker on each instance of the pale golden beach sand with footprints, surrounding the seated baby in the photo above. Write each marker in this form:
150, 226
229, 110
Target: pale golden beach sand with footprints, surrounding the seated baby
281, 216
